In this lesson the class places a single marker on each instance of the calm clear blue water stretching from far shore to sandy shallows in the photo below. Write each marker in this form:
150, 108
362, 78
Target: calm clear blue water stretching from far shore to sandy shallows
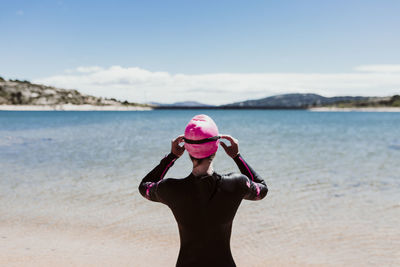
334, 179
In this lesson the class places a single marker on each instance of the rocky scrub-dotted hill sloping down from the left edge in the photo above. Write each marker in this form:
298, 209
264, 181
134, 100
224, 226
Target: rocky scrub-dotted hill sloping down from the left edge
15, 92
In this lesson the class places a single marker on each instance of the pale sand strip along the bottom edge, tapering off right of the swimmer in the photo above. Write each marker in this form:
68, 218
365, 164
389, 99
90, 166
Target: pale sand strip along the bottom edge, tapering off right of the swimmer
46, 245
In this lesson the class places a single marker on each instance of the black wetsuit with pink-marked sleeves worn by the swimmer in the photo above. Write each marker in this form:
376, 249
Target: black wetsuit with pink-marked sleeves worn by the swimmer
204, 208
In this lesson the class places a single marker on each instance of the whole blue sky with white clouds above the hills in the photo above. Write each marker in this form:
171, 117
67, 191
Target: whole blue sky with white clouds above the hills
48, 41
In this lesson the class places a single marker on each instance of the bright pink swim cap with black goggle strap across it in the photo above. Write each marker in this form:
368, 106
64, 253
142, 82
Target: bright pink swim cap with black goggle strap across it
201, 137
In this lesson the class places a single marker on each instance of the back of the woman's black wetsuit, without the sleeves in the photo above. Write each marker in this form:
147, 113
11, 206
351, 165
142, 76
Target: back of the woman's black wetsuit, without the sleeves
204, 208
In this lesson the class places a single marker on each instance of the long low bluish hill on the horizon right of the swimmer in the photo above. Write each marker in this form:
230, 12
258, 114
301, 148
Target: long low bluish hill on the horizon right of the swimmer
294, 101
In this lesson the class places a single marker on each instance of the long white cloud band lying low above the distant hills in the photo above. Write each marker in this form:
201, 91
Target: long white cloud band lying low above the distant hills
140, 85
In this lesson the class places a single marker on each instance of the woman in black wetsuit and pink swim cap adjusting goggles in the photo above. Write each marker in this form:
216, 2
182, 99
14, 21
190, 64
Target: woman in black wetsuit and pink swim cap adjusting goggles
205, 202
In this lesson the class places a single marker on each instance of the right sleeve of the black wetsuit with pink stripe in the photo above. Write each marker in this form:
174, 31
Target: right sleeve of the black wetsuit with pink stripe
253, 185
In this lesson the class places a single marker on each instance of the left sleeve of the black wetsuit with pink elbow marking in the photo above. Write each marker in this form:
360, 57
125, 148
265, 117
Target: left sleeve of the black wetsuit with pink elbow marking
148, 186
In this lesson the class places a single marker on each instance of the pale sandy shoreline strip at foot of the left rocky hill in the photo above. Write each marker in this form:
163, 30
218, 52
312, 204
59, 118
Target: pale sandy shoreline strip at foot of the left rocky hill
70, 107
